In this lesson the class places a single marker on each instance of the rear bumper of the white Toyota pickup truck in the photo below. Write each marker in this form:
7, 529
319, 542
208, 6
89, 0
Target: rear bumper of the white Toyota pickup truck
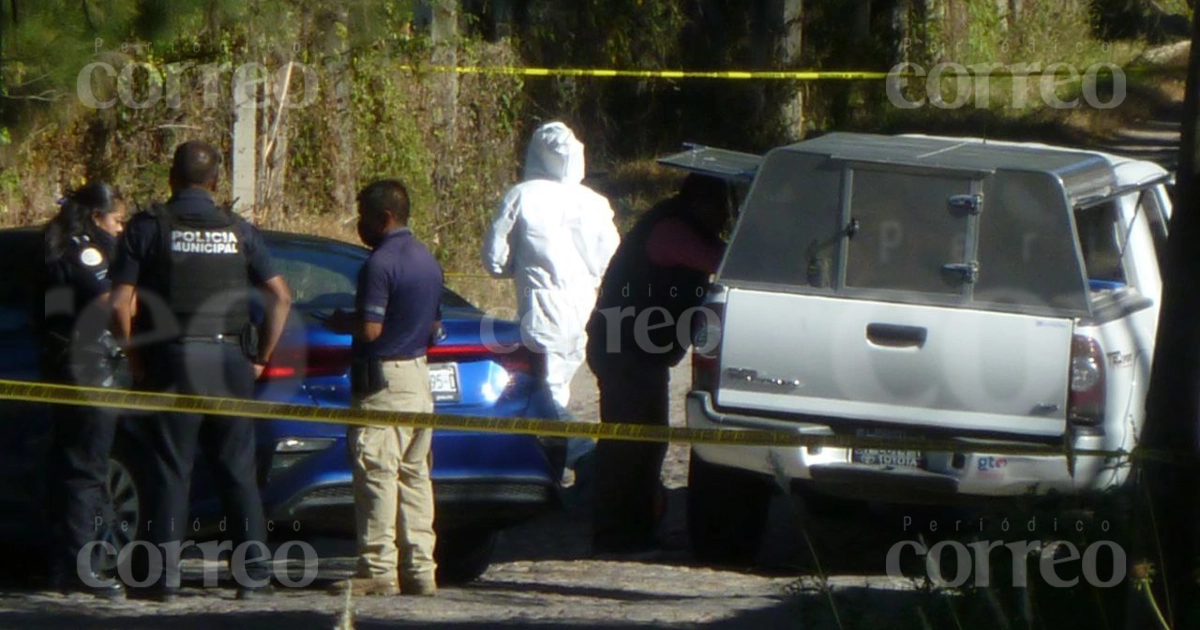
946, 478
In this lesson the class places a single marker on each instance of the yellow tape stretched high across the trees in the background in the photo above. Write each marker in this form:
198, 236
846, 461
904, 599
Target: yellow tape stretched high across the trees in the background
944, 70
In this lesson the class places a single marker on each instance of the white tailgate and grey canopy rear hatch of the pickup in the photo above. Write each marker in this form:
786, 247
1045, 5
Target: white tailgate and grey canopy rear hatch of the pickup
863, 296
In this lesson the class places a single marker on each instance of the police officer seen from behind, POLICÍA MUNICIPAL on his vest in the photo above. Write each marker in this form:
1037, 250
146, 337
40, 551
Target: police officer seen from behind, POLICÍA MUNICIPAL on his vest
193, 267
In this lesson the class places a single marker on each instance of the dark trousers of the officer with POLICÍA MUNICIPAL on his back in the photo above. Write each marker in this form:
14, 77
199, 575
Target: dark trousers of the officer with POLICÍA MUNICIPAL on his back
205, 369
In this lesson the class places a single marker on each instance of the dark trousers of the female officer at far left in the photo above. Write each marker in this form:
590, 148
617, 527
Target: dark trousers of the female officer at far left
80, 506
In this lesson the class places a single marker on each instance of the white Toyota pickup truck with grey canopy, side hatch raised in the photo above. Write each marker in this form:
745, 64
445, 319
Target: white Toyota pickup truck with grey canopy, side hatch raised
923, 287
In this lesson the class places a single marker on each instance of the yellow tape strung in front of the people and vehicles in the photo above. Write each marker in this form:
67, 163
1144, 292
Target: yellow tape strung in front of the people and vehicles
145, 401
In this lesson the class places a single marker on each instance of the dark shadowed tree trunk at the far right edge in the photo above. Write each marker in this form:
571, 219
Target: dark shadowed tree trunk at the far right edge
1167, 515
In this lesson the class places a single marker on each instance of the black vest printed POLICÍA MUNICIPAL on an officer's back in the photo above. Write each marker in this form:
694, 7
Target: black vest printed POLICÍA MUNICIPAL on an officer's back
206, 273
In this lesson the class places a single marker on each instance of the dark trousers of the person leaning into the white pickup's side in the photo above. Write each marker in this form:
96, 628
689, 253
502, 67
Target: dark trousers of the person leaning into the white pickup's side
628, 475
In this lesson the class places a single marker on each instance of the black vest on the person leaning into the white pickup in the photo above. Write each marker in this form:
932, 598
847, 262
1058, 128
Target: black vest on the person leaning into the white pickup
633, 281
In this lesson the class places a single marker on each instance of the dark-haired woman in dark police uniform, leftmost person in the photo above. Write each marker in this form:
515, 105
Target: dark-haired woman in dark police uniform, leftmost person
80, 350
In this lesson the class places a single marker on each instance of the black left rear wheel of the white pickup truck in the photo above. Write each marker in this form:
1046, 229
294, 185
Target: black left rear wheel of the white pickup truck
727, 513
